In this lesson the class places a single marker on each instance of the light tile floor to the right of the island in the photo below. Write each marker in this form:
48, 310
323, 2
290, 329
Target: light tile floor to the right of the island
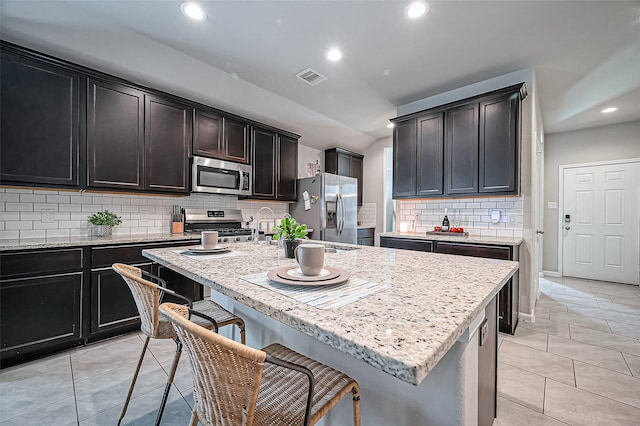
579, 363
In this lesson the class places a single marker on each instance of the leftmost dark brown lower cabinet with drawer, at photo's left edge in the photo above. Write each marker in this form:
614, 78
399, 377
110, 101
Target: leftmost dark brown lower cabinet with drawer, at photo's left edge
40, 303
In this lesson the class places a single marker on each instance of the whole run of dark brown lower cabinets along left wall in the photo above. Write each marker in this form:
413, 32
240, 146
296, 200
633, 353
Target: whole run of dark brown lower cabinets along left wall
55, 299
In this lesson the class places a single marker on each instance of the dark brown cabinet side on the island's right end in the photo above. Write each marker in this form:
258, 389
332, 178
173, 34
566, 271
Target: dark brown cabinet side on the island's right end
488, 368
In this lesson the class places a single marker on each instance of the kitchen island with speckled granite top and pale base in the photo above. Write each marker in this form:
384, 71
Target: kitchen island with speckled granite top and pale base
413, 345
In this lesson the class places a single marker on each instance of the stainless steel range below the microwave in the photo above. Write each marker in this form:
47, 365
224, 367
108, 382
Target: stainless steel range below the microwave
228, 223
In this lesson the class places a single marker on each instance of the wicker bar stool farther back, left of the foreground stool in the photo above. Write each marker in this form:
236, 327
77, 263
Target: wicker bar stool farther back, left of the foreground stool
148, 297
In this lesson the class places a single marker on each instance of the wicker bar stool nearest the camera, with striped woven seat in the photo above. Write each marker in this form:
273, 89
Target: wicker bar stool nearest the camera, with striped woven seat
238, 385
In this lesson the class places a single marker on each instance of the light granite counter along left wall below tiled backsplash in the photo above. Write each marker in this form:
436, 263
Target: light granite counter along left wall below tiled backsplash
59, 242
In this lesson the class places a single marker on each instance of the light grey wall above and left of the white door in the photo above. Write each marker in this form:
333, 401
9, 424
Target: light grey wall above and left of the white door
614, 142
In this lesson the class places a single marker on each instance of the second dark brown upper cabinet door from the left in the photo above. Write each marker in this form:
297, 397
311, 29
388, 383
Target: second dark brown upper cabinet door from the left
115, 136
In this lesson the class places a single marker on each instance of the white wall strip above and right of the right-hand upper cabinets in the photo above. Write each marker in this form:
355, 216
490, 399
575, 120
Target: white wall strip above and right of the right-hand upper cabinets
531, 121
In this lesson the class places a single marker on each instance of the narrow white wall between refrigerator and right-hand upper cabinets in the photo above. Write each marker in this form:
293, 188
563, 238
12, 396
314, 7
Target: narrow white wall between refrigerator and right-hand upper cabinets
373, 178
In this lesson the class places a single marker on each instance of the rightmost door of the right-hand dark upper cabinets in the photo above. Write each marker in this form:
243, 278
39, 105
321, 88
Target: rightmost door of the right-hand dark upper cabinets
499, 120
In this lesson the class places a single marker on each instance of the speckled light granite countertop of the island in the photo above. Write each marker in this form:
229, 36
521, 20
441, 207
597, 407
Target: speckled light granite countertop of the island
403, 330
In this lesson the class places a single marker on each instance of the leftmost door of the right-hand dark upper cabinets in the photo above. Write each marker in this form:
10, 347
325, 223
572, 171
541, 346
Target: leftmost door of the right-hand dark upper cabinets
404, 159
